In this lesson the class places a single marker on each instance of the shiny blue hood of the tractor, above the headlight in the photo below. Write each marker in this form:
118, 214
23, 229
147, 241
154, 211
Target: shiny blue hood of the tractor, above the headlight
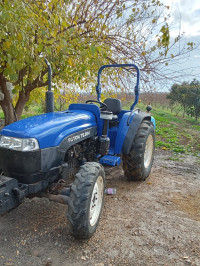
51, 128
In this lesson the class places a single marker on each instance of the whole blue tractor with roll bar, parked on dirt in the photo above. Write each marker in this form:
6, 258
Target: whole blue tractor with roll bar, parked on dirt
62, 153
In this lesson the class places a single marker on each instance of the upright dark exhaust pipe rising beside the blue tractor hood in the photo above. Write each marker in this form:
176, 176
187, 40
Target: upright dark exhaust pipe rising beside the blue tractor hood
49, 93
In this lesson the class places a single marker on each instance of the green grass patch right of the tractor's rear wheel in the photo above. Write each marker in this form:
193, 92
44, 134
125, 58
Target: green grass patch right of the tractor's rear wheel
180, 135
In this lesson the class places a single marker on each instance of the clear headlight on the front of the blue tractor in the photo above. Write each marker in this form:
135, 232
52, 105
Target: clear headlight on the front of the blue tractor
18, 144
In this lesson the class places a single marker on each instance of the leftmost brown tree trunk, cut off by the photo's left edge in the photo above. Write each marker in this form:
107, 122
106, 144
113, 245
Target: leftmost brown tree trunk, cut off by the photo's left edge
6, 104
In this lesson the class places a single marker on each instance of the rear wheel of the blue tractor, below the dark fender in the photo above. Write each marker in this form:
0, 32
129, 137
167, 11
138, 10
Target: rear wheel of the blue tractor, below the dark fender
137, 164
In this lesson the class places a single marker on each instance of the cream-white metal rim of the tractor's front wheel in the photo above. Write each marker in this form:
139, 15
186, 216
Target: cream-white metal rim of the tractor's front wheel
96, 200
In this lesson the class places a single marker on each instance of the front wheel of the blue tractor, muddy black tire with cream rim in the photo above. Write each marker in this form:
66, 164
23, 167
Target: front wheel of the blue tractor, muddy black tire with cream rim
86, 200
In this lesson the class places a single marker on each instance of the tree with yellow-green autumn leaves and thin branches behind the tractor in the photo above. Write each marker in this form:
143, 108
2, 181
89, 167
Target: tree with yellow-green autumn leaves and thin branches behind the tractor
77, 37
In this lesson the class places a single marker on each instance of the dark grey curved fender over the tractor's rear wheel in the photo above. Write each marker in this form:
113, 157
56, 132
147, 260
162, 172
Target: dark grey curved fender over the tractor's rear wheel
132, 130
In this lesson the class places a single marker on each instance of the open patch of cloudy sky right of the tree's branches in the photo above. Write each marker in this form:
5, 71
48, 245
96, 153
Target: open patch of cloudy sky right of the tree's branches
185, 18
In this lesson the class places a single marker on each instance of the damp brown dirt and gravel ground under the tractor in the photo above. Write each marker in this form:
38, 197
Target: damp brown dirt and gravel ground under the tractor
156, 222
